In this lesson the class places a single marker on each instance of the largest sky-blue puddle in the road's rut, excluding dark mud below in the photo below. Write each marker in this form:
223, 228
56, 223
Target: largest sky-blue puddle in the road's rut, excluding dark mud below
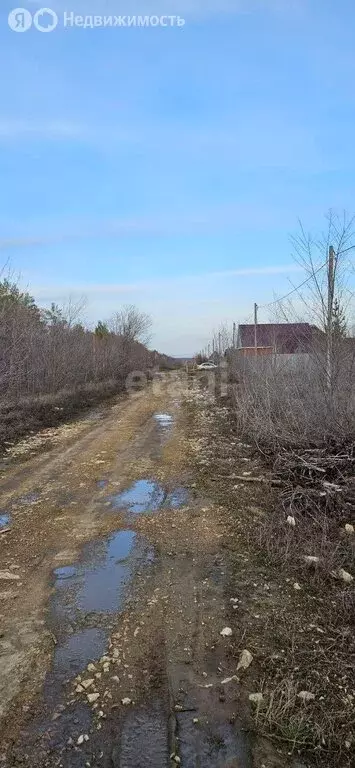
87, 591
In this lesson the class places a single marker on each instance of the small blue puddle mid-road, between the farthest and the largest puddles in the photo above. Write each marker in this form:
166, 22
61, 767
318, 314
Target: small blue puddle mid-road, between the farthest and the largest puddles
146, 496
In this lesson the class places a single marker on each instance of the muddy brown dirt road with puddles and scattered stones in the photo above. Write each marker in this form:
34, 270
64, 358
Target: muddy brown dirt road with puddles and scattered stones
112, 600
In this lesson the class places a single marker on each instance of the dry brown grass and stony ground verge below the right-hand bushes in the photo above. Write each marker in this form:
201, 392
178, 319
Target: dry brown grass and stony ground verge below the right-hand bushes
301, 639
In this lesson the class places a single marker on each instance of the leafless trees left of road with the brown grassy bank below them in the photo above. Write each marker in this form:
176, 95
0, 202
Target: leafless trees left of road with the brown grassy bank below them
52, 366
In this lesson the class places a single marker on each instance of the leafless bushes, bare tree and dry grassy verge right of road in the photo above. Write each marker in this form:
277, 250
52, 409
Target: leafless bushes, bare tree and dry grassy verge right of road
282, 443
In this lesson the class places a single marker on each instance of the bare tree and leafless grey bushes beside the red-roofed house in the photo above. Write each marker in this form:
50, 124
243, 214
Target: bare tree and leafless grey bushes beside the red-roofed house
297, 399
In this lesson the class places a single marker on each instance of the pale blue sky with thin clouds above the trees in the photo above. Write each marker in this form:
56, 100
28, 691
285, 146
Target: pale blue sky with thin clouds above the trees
167, 167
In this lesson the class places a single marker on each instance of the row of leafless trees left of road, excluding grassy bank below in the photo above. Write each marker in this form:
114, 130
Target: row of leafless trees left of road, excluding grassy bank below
44, 351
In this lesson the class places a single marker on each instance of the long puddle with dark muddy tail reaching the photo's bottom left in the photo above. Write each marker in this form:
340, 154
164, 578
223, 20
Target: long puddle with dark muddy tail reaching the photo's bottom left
85, 597
